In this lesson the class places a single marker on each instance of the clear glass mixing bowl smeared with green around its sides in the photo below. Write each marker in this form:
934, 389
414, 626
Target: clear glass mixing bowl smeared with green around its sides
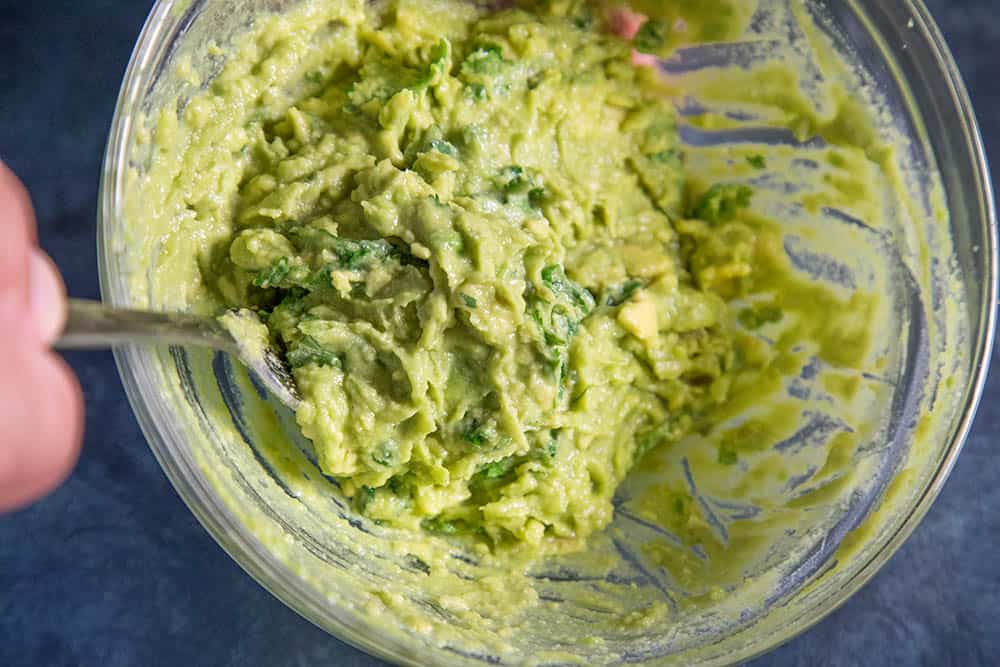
179, 396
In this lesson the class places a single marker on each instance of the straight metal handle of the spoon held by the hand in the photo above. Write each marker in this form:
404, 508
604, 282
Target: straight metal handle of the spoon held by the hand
93, 325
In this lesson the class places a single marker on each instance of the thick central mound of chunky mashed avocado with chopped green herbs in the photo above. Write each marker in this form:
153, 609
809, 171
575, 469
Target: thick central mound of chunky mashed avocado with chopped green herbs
474, 245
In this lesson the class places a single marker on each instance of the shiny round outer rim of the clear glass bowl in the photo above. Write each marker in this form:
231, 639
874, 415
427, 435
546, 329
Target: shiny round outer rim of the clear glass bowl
155, 423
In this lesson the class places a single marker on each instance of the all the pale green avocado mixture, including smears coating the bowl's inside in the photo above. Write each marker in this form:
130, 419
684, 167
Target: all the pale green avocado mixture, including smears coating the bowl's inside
510, 294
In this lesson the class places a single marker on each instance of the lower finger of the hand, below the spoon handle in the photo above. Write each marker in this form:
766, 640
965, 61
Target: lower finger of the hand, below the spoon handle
41, 424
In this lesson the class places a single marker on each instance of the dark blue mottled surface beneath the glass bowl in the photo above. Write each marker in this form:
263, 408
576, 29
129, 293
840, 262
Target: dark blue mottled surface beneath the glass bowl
113, 569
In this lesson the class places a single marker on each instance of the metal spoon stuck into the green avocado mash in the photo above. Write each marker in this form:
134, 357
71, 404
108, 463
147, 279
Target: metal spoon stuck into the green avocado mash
93, 325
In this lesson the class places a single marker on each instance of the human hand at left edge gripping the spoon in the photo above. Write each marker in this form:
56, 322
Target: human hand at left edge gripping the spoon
41, 406
